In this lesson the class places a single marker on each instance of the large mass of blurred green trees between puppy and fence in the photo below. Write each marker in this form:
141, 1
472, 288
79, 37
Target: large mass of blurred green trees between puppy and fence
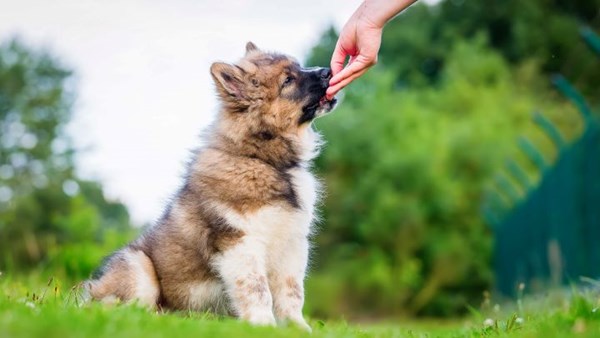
417, 141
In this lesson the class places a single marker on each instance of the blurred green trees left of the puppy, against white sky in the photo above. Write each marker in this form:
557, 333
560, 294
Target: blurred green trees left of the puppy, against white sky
47, 214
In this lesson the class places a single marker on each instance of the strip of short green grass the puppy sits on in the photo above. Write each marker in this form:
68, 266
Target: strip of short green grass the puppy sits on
54, 310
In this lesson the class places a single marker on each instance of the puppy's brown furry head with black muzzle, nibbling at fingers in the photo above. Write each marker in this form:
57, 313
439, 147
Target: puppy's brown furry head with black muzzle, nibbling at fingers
272, 88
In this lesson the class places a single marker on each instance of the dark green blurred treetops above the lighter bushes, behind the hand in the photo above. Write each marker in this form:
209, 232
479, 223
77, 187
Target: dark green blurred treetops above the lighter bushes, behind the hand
415, 45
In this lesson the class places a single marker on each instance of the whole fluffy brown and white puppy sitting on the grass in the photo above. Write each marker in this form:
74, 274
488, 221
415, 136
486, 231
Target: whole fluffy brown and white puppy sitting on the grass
235, 237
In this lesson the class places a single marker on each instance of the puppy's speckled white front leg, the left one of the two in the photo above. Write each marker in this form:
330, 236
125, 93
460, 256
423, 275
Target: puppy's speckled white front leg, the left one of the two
242, 269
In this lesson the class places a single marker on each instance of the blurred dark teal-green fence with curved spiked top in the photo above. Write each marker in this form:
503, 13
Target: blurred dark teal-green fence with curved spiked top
552, 235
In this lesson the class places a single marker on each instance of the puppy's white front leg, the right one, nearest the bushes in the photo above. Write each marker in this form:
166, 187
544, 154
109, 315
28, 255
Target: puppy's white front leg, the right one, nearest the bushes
287, 281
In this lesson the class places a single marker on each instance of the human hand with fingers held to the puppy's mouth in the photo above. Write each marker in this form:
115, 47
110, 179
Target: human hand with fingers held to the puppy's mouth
360, 39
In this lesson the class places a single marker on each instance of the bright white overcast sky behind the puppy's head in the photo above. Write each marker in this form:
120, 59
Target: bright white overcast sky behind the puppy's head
144, 91
